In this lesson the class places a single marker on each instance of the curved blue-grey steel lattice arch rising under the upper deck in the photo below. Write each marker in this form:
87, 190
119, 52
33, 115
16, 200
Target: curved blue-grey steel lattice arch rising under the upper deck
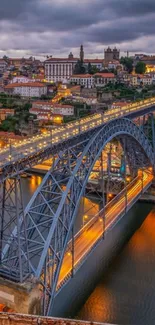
51, 212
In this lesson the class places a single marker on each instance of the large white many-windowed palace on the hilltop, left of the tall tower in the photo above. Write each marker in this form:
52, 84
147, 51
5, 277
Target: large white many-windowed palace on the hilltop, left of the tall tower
59, 69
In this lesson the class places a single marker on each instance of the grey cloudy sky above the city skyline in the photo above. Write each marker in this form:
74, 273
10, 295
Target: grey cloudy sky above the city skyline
56, 27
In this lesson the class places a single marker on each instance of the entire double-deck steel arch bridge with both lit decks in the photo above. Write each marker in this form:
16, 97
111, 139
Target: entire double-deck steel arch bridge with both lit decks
40, 243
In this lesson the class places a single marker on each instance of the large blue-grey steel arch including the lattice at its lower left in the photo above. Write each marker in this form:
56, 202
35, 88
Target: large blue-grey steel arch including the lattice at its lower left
38, 243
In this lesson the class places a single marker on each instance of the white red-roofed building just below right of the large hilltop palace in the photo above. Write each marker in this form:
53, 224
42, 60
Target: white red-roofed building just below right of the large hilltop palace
85, 80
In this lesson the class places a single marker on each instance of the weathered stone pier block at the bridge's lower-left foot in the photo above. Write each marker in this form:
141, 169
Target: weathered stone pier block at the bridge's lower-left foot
20, 298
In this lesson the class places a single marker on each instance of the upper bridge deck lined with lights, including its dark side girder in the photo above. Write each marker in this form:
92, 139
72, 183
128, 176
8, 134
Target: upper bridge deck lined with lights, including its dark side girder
29, 152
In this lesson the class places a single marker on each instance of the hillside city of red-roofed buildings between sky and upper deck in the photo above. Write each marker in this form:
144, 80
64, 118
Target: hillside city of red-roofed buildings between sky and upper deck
36, 96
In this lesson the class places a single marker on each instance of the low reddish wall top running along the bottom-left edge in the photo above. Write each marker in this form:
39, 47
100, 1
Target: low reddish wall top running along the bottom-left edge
20, 319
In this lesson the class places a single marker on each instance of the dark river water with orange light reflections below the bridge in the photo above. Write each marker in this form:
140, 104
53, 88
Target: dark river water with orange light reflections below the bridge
125, 292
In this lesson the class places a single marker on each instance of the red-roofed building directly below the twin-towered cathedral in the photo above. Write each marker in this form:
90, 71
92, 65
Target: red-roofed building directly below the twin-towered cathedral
102, 79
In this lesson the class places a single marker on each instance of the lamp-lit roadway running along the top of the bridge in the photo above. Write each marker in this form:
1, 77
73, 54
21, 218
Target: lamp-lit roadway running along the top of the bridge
29, 147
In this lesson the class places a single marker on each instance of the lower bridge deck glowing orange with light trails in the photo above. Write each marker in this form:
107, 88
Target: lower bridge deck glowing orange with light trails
92, 233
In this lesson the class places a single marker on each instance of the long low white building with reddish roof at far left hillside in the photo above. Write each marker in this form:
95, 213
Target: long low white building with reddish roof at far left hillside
30, 89
